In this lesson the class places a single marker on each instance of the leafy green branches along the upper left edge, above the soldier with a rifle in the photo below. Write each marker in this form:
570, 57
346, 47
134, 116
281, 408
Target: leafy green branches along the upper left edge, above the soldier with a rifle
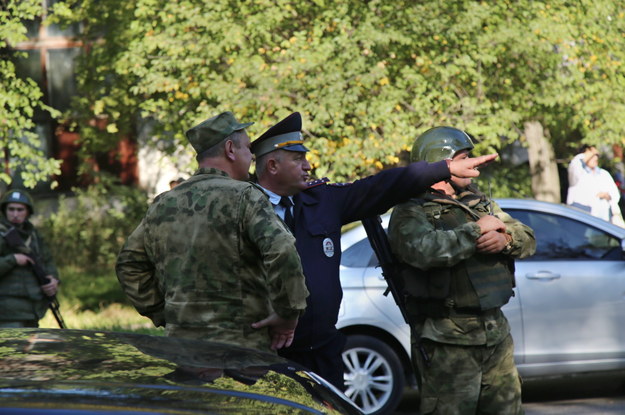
19, 100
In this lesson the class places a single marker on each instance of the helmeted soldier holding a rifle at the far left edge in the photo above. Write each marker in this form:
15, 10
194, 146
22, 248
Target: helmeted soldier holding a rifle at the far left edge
23, 301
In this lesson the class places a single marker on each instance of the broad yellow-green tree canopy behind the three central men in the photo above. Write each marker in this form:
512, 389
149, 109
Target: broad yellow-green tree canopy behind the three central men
367, 76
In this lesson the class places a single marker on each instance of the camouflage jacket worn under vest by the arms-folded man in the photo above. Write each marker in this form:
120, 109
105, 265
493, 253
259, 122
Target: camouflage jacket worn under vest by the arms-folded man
417, 240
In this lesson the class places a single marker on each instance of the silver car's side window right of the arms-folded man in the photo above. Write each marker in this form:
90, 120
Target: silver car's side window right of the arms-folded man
558, 237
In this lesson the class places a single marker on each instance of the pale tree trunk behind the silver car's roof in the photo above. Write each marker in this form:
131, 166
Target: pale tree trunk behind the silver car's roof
543, 167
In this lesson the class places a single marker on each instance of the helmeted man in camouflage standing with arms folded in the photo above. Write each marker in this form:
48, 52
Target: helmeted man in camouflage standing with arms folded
459, 248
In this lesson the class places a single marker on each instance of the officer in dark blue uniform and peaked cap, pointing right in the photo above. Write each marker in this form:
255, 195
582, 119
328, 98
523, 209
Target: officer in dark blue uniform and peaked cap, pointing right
315, 212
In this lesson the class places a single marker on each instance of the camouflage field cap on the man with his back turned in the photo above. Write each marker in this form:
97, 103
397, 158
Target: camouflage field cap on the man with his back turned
212, 131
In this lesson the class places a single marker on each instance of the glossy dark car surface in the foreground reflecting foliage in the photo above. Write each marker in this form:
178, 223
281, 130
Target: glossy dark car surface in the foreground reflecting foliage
87, 372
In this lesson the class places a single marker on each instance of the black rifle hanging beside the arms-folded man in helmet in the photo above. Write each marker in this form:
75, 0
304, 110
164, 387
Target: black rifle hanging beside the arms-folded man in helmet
388, 263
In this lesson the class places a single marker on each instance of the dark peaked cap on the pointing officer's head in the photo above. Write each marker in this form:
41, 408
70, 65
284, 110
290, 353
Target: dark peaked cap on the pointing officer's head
285, 135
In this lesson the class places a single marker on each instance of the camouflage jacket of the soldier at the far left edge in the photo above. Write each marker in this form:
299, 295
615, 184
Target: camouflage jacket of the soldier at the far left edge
21, 297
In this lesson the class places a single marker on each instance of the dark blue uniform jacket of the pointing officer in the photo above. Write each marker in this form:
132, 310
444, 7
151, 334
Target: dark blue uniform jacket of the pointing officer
320, 211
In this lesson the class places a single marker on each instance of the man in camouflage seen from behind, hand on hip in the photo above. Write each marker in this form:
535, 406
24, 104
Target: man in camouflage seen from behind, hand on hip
210, 260
